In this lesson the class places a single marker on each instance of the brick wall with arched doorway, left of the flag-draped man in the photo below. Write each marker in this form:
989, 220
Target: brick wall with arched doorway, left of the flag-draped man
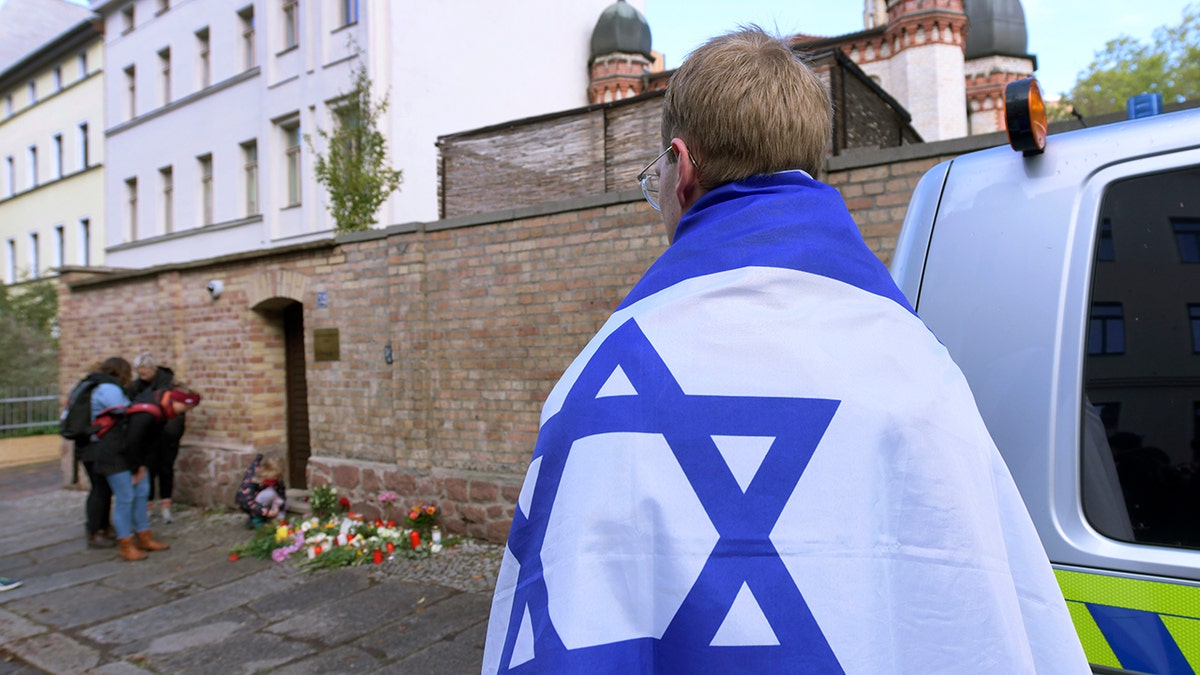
482, 314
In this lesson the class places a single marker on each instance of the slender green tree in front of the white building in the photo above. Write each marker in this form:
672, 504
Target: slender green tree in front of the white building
355, 168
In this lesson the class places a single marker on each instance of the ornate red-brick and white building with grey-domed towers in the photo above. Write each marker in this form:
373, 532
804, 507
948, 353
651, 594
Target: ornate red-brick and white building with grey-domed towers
945, 62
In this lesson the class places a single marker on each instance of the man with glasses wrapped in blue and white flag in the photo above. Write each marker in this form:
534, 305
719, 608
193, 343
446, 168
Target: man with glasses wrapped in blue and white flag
765, 462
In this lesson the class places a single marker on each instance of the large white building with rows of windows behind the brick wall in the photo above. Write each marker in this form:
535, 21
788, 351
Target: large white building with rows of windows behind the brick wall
209, 105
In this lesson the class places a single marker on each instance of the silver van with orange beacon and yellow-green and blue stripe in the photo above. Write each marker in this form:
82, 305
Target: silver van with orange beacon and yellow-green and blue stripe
1064, 277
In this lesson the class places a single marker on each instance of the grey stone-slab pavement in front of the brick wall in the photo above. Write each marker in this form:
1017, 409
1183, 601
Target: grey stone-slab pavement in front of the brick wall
190, 610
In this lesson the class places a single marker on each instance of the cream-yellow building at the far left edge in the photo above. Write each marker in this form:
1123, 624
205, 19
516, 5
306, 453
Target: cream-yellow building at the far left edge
52, 150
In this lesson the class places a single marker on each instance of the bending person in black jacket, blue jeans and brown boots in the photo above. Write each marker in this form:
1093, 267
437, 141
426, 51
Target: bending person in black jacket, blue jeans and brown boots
122, 456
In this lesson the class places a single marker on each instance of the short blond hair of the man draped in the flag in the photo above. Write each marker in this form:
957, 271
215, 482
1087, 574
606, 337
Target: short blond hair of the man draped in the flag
747, 105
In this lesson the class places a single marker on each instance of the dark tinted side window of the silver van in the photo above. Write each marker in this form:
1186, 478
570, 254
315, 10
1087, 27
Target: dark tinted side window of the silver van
1142, 375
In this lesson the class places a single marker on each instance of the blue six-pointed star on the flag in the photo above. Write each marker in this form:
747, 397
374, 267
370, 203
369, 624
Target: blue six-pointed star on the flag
743, 554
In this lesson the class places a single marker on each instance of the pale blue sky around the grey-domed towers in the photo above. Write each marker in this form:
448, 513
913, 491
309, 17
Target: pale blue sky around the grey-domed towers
1065, 35
